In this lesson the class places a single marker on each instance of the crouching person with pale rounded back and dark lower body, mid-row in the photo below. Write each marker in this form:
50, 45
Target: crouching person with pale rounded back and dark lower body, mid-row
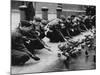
53, 28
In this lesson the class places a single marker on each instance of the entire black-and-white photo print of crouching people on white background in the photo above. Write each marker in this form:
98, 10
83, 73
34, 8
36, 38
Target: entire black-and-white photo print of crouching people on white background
52, 37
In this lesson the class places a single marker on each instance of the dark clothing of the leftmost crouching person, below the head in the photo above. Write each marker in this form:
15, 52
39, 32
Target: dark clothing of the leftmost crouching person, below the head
18, 54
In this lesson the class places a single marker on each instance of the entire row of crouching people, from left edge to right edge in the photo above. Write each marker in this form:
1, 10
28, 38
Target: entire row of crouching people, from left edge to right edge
29, 34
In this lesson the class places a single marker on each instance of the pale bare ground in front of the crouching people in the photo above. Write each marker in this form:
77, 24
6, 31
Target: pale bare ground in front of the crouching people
51, 62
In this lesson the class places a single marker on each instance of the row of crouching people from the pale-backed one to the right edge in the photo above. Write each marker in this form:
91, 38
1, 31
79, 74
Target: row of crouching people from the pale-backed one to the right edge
69, 27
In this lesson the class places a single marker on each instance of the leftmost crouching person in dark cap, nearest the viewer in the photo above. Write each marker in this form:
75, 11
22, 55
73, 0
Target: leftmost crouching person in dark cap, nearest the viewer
19, 53
